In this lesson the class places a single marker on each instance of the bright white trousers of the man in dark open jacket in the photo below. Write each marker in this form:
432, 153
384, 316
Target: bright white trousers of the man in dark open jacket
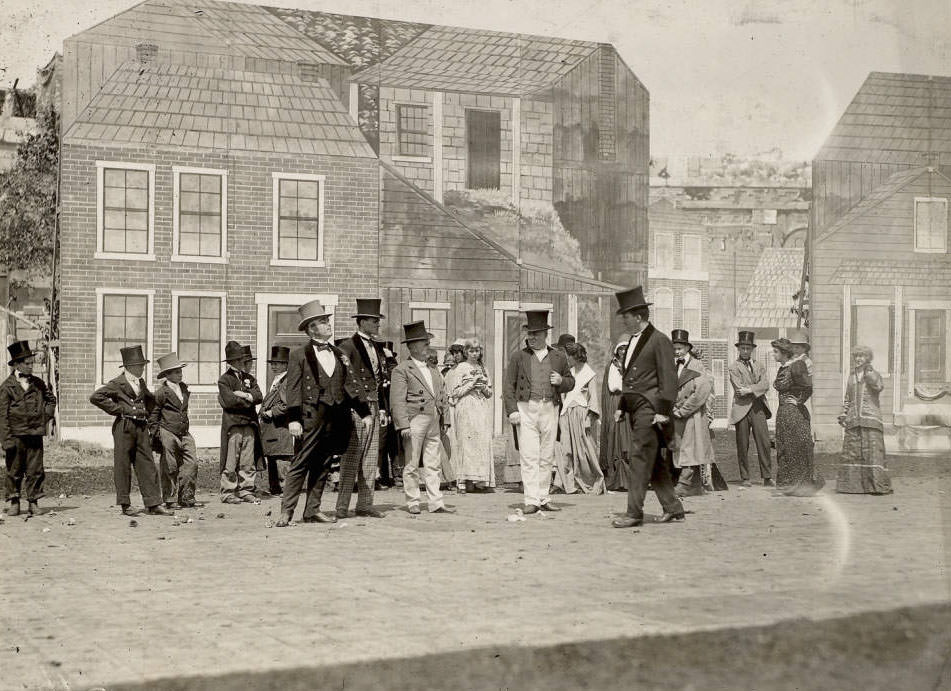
537, 427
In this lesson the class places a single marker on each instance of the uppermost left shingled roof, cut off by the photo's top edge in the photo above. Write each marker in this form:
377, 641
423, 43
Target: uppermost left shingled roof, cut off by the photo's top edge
214, 27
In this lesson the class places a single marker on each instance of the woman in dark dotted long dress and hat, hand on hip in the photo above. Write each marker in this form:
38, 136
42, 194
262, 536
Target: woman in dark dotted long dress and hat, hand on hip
796, 474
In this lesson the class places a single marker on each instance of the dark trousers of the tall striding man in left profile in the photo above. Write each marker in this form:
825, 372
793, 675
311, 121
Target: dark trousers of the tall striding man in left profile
647, 466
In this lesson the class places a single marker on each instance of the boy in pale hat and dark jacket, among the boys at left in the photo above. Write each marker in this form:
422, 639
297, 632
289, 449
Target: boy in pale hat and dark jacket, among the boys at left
168, 420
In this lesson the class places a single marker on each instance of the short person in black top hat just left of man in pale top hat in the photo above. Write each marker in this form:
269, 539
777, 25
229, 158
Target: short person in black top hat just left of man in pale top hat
276, 440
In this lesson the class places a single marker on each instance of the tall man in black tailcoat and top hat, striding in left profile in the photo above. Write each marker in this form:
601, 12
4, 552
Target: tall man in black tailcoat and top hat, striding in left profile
648, 392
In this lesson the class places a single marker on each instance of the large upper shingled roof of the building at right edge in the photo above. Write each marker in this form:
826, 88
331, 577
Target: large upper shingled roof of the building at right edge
893, 118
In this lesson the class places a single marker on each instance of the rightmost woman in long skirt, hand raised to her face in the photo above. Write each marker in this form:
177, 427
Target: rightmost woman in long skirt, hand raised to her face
863, 470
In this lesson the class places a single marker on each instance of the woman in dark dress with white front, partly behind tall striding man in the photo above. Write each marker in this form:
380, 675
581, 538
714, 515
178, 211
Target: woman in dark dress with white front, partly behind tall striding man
615, 456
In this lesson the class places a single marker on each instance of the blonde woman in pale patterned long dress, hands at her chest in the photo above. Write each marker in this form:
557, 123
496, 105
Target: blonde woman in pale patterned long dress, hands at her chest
470, 393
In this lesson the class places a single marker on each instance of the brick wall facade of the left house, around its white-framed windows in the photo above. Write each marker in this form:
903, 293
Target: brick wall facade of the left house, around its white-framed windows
351, 226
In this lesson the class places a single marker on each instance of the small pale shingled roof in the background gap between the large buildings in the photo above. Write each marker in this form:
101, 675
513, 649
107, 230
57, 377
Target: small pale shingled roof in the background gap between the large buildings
768, 297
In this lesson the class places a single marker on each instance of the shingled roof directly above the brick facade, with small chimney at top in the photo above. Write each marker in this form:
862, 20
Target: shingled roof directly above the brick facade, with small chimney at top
201, 108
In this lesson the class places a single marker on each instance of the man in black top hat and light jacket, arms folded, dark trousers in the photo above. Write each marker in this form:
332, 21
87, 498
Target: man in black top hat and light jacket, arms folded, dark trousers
750, 412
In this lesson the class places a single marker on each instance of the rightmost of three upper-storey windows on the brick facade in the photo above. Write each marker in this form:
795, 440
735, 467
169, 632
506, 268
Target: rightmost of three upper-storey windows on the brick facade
298, 219
